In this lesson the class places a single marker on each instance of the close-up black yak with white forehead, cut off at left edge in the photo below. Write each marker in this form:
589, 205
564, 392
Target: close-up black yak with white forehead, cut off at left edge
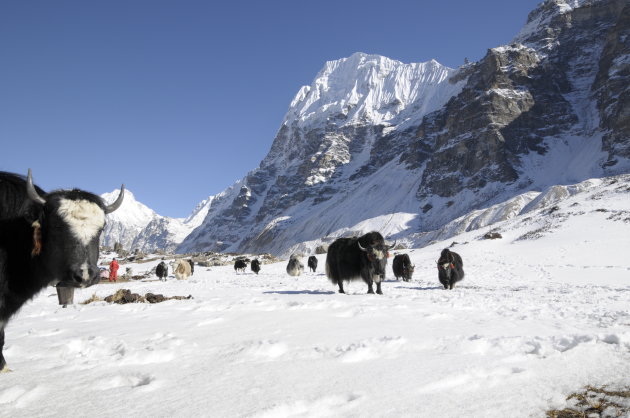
46, 239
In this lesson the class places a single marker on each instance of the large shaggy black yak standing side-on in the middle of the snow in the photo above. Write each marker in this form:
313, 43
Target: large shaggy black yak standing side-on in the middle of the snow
352, 258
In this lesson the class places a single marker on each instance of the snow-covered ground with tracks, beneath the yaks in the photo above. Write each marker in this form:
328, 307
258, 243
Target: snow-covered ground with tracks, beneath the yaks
541, 313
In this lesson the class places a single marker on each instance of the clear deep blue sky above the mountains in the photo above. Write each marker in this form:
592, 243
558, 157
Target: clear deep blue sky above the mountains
180, 98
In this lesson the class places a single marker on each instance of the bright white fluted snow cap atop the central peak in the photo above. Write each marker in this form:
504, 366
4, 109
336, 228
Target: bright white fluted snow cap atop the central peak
371, 87
